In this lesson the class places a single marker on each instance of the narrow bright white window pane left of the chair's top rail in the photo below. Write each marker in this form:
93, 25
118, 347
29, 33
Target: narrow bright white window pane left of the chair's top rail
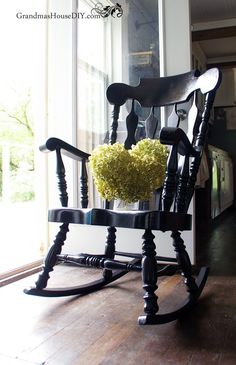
92, 78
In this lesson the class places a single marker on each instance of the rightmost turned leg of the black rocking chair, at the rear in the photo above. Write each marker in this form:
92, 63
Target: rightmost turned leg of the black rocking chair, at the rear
184, 262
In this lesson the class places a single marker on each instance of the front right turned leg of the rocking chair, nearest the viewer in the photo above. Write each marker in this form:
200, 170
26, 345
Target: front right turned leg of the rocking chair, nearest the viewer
149, 276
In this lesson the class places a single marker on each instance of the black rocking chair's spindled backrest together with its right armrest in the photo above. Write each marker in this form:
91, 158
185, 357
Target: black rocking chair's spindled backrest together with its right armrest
186, 148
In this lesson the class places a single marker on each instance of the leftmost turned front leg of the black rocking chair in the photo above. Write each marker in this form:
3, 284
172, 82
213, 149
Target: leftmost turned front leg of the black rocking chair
51, 257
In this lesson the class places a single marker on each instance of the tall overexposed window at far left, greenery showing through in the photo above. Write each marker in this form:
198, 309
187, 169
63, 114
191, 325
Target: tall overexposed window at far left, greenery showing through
22, 117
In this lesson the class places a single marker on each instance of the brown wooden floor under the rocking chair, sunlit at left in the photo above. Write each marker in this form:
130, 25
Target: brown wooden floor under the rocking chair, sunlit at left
102, 328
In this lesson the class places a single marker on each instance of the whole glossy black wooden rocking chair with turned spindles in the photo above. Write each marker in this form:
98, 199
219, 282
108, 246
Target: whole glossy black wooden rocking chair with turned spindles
186, 149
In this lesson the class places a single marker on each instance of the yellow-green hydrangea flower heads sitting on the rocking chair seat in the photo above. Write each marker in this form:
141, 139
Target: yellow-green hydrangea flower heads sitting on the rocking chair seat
129, 175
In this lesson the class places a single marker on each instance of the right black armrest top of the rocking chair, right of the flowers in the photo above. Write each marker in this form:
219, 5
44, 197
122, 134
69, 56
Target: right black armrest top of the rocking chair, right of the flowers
176, 136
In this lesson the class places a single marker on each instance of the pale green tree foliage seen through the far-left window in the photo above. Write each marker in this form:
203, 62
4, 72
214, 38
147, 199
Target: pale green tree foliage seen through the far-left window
17, 143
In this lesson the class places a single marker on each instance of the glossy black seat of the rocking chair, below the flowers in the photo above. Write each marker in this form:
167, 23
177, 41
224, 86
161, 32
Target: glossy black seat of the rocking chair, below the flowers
145, 219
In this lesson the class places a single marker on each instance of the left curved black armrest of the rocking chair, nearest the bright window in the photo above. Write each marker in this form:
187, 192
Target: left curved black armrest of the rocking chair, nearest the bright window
53, 144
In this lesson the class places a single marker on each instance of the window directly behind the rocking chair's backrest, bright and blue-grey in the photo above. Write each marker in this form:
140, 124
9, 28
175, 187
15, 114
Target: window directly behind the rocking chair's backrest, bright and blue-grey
113, 45
